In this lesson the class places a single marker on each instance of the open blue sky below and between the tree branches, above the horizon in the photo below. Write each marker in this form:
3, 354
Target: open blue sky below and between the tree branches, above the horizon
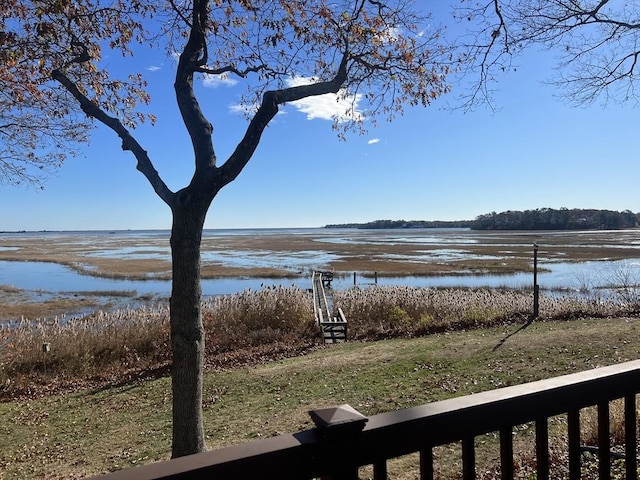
432, 163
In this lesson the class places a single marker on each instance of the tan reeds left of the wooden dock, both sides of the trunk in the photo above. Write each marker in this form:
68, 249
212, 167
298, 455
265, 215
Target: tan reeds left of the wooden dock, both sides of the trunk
119, 343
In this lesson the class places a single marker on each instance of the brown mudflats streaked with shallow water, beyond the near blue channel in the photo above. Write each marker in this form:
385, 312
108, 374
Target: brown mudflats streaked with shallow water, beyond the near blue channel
286, 254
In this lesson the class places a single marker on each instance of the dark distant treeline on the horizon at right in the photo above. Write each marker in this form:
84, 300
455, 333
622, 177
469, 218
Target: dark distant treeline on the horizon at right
539, 219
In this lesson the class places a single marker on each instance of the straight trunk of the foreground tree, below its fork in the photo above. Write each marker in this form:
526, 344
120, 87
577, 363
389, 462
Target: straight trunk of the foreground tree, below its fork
187, 333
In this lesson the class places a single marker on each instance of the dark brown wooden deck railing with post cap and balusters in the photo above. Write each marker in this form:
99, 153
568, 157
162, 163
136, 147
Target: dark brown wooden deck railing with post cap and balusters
339, 453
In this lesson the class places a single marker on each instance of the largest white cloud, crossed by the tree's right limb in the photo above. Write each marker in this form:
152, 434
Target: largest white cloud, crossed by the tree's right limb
330, 106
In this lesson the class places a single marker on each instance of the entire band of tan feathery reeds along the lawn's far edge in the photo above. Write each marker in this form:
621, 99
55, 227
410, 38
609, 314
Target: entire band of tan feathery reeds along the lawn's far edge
256, 324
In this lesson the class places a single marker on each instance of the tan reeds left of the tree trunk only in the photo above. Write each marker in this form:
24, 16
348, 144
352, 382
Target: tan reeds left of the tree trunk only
102, 344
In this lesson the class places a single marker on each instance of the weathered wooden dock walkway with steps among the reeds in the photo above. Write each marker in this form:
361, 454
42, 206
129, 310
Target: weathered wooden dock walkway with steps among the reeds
333, 329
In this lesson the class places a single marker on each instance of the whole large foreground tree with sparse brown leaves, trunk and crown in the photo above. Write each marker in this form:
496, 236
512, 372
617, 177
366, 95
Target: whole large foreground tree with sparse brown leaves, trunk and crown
382, 52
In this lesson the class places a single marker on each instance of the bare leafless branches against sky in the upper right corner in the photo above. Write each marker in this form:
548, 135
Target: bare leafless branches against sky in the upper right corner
597, 43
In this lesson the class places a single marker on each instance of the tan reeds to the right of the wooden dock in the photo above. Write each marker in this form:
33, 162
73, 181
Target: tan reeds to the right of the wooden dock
390, 311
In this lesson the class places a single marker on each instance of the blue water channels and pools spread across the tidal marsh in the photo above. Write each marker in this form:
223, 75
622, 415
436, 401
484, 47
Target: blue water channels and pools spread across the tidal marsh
451, 243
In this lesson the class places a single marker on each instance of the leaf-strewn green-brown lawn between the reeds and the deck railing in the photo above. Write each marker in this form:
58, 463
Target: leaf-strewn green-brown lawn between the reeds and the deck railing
98, 430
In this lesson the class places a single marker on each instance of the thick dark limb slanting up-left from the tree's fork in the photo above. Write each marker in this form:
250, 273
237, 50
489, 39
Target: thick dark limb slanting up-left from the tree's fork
128, 141
